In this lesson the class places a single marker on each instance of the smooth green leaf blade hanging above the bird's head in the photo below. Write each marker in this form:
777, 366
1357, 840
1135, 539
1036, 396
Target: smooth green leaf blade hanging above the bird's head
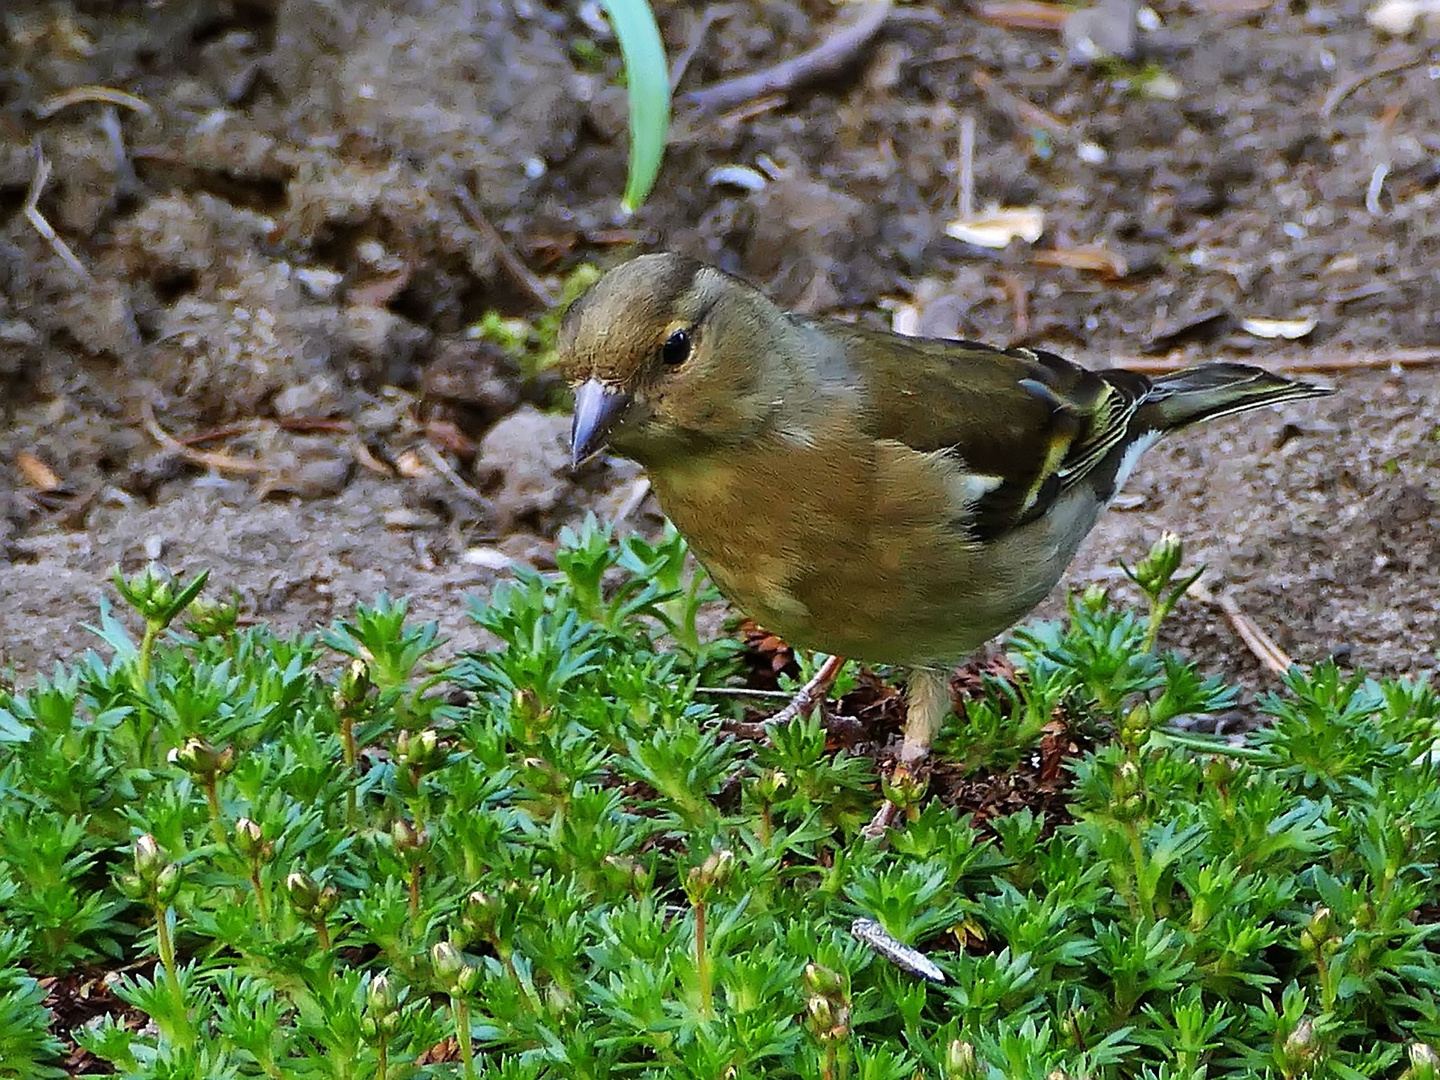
649, 81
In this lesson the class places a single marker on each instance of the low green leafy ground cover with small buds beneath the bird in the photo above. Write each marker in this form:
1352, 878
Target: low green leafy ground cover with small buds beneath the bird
326, 856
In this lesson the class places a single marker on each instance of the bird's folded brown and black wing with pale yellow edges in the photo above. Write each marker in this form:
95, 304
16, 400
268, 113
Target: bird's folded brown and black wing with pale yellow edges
1023, 424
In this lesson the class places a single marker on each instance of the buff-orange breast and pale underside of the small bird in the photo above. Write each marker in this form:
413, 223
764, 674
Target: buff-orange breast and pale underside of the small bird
859, 549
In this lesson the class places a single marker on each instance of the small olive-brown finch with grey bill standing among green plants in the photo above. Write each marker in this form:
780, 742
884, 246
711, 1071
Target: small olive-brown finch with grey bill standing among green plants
865, 495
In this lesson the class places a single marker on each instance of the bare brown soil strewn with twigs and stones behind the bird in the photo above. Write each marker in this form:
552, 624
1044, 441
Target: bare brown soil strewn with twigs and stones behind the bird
250, 352
